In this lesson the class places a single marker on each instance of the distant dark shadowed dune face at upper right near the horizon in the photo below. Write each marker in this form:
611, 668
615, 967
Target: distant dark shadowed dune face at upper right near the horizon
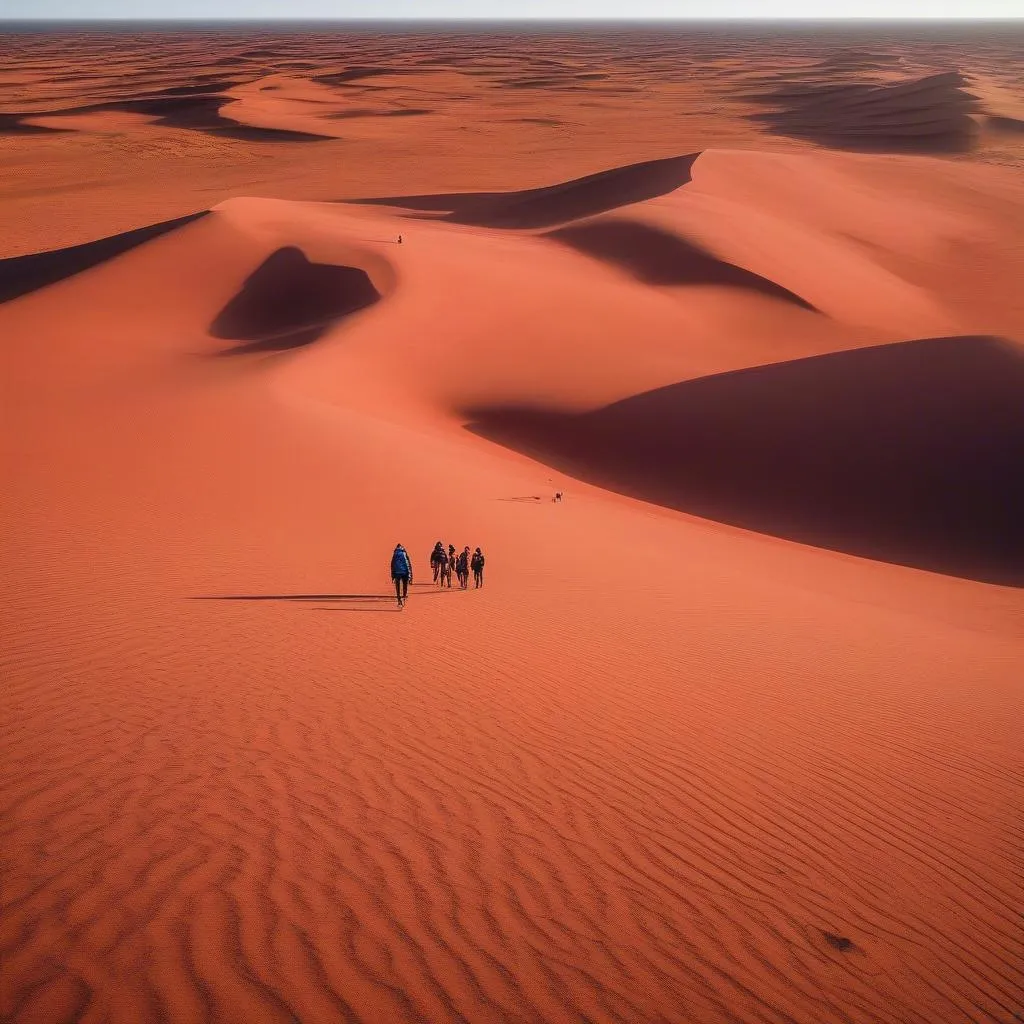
927, 115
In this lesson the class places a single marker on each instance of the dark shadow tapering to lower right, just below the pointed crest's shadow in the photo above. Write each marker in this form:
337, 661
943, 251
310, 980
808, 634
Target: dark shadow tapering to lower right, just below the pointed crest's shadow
658, 258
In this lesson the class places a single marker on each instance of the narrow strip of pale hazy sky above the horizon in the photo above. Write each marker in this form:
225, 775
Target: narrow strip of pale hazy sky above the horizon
74, 10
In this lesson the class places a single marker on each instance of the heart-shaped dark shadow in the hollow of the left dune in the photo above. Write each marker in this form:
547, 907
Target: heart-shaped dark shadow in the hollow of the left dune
289, 302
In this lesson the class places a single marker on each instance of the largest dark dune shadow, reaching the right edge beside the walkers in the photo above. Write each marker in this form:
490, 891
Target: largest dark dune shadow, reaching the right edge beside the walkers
909, 453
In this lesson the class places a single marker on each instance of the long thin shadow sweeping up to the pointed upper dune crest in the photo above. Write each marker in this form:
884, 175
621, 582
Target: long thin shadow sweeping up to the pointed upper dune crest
553, 205
